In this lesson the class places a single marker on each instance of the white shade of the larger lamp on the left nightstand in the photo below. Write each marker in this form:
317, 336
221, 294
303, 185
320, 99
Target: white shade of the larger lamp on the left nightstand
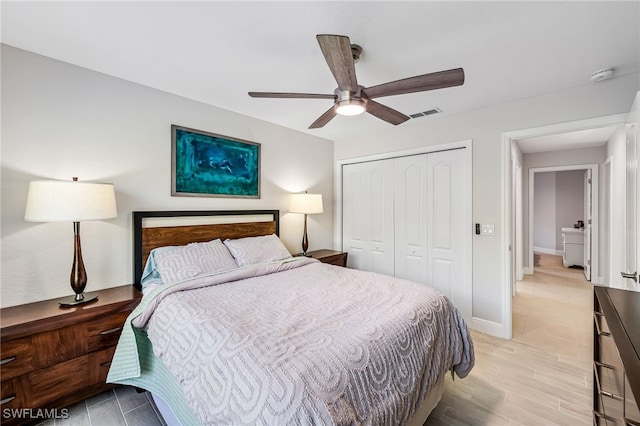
69, 201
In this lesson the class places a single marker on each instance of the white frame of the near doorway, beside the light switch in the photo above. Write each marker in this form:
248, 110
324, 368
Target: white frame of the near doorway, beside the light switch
508, 139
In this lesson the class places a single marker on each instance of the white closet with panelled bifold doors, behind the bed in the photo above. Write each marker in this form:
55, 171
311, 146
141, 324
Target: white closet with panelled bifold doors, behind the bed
409, 217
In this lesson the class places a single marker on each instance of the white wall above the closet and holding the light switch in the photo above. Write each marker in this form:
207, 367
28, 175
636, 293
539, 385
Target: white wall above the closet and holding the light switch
485, 127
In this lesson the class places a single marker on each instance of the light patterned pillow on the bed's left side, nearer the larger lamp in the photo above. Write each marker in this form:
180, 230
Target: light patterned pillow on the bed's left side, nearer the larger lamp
178, 263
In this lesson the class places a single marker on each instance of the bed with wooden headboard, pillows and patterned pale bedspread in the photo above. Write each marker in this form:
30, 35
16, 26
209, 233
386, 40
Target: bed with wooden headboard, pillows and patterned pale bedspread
232, 329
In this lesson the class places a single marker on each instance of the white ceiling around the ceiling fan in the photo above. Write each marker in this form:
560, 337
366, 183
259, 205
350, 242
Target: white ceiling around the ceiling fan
215, 52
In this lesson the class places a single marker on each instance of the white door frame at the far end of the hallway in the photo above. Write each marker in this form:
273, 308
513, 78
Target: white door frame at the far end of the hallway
595, 186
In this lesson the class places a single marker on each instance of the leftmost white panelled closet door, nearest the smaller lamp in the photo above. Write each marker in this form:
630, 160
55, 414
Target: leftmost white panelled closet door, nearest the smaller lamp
367, 215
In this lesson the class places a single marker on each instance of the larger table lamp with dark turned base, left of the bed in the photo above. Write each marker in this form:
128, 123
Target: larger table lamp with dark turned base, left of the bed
71, 201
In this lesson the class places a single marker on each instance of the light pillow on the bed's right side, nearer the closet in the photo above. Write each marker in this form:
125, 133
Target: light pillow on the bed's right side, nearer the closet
250, 250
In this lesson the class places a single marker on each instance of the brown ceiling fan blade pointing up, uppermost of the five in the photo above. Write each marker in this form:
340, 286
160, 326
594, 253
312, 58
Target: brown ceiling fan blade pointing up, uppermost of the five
337, 52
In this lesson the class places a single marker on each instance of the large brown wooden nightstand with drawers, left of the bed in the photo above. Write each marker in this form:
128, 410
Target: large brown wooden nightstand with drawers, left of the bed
52, 357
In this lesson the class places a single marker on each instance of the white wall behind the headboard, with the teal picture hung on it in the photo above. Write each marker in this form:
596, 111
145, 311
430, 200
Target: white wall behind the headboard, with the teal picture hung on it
60, 121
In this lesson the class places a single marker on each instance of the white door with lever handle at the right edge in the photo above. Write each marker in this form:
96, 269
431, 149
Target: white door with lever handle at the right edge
632, 212
